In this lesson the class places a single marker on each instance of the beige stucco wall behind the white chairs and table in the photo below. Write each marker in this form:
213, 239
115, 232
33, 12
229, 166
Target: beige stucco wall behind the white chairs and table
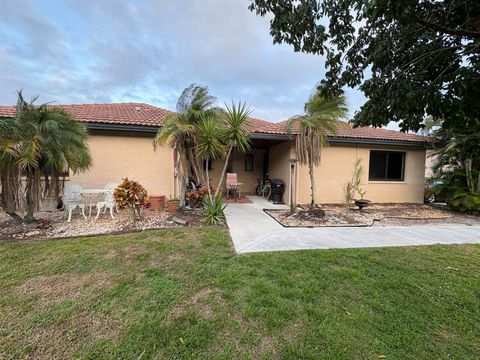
116, 156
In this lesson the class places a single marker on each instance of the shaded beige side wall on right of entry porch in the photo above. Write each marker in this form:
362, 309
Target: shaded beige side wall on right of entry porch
279, 166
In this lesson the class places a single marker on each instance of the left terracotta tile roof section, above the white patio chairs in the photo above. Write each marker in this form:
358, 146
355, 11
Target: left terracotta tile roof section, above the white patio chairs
121, 114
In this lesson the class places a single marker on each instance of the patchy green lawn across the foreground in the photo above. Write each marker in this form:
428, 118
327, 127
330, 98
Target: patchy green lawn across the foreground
185, 294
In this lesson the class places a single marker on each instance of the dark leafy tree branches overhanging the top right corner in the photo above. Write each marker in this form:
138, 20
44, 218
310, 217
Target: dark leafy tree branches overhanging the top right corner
411, 58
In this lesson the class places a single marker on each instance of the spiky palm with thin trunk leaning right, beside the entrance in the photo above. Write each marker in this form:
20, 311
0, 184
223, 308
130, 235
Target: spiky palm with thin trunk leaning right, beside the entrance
235, 133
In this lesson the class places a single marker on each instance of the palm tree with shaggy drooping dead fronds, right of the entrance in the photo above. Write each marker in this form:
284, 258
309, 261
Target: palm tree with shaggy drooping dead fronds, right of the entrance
320, 120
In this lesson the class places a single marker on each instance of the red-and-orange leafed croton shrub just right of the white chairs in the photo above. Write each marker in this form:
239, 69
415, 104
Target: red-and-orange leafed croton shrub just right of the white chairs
130, 194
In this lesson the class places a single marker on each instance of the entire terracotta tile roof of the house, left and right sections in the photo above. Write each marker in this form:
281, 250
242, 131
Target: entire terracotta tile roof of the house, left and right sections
140, 114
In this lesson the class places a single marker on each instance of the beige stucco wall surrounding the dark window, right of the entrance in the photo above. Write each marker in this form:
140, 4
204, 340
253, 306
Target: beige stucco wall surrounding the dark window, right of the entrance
336, 169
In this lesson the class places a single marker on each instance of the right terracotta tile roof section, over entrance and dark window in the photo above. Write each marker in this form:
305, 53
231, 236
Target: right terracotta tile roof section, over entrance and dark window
345, 130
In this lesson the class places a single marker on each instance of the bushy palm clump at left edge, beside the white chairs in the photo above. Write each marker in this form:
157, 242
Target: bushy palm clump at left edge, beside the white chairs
40, 143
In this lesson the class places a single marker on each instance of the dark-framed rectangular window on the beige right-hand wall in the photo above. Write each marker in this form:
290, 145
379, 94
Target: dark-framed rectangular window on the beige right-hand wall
386, 165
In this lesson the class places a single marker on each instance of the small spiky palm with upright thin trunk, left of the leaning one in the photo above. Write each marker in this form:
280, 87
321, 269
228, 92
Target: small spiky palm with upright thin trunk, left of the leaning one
210, 143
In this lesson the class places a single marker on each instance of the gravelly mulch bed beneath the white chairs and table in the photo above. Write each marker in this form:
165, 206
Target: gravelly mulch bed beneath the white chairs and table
49, 224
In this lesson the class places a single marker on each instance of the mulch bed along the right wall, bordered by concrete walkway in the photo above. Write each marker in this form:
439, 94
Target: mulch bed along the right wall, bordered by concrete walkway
374, 215
